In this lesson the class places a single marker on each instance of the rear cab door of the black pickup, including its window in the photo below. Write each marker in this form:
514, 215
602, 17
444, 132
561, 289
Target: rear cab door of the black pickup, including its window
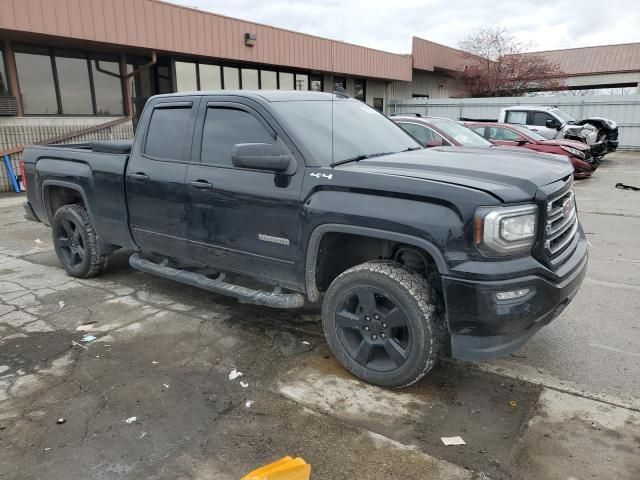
156, 193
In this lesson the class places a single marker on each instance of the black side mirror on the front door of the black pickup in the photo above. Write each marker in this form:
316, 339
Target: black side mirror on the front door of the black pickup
262, 156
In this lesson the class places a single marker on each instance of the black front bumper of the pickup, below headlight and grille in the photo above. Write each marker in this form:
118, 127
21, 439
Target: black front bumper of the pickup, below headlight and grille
482, 327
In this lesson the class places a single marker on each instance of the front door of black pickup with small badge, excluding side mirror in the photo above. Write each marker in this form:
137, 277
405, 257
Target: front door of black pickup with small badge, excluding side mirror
242, 220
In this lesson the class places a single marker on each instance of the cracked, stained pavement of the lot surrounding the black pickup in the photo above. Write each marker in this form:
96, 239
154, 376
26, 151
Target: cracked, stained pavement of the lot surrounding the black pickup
152, 396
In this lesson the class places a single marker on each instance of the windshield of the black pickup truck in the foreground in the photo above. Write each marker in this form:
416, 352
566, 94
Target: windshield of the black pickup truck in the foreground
358, 130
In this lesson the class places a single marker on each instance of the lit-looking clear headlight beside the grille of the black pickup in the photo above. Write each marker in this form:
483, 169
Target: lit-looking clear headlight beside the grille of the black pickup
506, 230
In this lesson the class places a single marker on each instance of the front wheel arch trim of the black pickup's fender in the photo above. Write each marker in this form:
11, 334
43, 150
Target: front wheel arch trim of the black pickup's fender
319, 233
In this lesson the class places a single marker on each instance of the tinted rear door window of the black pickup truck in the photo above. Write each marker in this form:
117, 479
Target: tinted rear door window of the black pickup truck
167, 134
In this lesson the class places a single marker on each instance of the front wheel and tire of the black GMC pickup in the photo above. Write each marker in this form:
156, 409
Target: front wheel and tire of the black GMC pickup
381, 322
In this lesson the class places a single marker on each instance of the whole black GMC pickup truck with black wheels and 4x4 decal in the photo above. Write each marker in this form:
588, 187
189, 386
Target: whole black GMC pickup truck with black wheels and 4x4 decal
279, 197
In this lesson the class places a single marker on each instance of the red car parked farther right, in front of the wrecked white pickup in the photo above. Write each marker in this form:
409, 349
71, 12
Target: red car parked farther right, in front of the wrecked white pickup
517, 136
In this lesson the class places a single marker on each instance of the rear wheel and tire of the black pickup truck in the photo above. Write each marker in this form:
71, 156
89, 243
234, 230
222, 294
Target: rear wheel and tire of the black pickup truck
76, 242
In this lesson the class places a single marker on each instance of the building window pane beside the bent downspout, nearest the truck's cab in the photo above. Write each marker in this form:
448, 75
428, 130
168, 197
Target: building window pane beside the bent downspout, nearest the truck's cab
107, 85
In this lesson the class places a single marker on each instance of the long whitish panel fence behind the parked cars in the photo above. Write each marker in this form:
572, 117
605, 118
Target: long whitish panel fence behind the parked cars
624, 109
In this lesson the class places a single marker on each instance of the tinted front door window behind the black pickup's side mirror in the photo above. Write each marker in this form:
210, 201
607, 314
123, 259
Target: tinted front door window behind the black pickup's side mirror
224, 128
